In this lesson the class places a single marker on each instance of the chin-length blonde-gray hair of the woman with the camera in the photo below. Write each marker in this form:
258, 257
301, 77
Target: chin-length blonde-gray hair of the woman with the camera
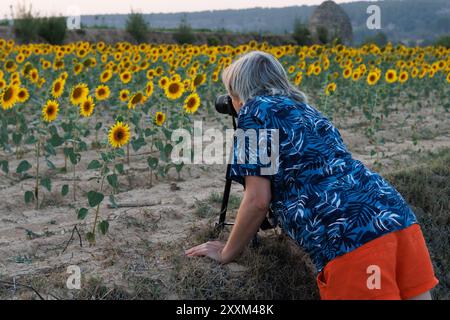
259, 73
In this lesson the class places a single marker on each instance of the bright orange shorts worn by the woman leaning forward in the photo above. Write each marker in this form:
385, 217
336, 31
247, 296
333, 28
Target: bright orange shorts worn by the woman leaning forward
396, 265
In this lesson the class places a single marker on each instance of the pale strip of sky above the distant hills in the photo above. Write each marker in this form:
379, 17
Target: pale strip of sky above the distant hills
56, 7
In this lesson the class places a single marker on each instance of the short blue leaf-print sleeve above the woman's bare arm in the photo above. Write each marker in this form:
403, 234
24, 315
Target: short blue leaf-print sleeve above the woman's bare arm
254, 146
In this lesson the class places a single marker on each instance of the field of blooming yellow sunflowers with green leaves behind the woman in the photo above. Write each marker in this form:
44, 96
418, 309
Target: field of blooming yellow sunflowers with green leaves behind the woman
59, 102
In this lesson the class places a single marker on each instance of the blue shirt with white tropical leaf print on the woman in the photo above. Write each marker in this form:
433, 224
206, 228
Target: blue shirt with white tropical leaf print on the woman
328, 202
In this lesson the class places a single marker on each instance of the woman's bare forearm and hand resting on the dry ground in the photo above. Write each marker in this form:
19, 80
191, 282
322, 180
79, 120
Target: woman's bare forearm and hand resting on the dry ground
251, 213
